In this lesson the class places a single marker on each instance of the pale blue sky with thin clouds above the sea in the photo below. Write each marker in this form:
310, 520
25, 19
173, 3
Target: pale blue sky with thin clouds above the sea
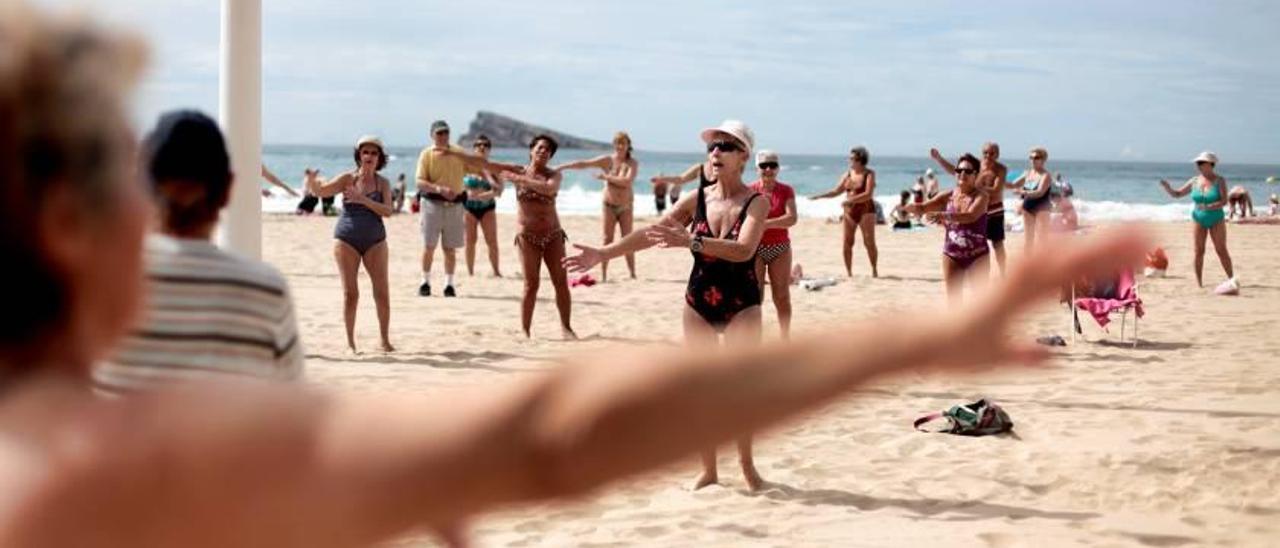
1089, 80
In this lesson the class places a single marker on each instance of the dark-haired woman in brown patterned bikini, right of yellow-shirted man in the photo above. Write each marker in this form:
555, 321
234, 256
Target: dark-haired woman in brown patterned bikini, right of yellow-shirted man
541, 240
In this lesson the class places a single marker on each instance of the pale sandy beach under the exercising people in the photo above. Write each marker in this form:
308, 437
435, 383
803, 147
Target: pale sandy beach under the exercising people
1173, 444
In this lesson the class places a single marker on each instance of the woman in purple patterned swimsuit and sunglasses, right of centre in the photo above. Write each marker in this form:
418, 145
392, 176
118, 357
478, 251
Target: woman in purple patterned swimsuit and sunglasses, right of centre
964, 252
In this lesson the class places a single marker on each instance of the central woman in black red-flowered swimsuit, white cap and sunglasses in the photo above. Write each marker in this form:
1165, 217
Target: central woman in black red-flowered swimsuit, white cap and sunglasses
724, 295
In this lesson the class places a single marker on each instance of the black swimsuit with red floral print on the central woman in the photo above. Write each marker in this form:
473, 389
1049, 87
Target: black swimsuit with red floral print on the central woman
720, 289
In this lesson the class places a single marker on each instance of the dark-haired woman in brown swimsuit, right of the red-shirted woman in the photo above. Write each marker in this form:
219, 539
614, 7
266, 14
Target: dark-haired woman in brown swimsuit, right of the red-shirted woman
860, 188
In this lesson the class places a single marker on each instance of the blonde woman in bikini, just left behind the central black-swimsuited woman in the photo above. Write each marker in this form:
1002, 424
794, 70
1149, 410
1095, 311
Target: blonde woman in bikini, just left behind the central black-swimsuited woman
619, 173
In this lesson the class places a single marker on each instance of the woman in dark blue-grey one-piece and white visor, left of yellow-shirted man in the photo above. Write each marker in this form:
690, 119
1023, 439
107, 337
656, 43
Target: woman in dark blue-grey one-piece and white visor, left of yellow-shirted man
362, 238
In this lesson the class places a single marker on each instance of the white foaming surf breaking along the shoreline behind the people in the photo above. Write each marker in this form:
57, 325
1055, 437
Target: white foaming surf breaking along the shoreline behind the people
577, 200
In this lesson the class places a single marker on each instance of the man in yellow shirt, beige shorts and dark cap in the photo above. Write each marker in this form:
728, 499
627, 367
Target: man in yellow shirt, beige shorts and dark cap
440, 180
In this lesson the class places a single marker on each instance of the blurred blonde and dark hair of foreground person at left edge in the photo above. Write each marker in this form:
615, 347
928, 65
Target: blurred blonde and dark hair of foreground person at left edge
63, 85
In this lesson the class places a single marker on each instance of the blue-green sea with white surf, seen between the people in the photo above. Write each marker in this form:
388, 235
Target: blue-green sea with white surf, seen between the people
1104, 190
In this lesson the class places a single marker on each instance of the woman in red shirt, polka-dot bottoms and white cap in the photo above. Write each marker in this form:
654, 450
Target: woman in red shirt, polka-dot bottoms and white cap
775, 257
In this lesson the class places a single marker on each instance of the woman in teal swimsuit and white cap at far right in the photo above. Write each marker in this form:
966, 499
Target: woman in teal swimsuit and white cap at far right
1209, 193
